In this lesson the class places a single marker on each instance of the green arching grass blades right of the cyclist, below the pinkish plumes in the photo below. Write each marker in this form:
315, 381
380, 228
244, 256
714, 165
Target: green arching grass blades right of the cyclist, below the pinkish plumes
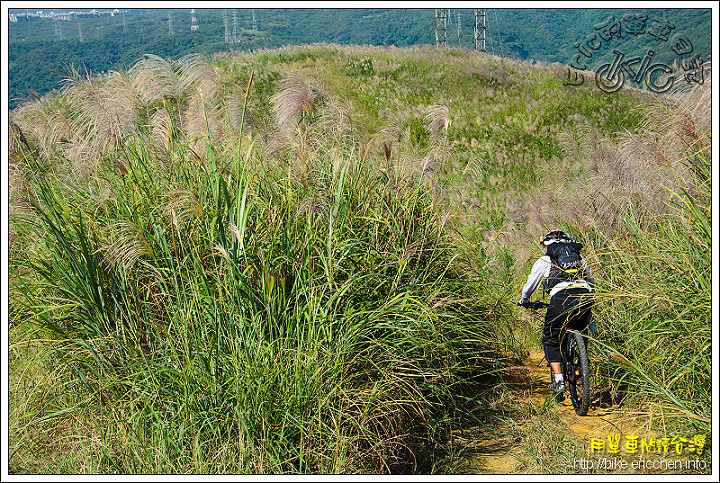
657, 307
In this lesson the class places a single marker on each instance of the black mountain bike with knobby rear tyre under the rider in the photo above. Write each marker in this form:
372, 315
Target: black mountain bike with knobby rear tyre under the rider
574, 361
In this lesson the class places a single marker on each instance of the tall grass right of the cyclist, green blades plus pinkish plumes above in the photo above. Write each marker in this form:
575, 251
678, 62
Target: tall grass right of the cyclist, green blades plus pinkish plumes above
655, 267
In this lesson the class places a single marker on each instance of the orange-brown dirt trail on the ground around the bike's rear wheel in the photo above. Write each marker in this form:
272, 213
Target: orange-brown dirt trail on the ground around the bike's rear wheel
529, 385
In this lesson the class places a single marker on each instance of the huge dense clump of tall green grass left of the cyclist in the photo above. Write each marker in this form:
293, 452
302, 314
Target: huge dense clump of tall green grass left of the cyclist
222, 316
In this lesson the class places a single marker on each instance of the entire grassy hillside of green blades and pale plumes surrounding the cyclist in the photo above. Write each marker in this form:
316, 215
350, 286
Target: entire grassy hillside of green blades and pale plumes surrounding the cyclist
306, 259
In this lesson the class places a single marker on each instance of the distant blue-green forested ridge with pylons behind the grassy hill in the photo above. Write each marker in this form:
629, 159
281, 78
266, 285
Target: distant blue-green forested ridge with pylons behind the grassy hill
40, 49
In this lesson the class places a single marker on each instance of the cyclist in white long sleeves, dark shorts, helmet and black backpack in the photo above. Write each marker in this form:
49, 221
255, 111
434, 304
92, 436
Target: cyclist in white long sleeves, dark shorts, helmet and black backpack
566, 288
